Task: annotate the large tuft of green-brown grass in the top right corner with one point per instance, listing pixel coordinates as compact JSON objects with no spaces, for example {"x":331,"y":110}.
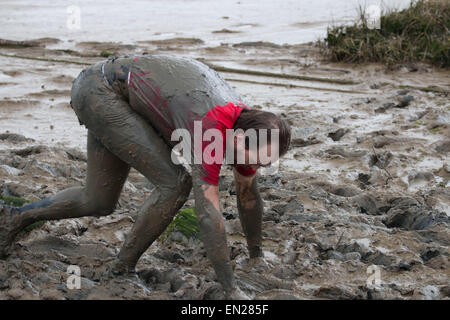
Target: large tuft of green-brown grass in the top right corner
{"x":418,"y":33}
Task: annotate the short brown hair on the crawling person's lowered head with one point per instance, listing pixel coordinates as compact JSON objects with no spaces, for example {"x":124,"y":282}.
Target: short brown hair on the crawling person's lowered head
{"x":257,"y":119}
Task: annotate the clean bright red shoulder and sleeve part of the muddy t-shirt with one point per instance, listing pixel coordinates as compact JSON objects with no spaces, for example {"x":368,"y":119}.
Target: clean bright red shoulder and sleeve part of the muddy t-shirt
{"x":221,"y":118}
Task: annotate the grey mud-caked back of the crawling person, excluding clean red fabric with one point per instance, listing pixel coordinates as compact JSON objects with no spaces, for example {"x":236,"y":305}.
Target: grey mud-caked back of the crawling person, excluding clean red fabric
{"x":170,"y":92}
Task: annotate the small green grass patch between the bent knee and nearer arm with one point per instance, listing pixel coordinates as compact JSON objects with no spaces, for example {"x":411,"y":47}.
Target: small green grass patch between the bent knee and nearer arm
{"x":185,"y":222}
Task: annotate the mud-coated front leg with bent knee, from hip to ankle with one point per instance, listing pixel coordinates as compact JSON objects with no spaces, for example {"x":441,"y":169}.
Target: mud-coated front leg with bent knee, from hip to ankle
{"x":131,"y":138}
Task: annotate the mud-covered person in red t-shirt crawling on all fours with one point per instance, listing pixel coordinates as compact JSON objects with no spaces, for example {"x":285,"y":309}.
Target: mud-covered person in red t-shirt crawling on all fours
{"x":131,"y":105}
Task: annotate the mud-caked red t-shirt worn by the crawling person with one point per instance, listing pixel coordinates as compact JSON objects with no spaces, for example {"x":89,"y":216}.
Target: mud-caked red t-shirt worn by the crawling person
{"x":173,"y":92}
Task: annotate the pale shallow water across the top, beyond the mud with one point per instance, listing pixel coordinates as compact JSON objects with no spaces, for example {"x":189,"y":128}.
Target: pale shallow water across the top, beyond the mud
{"x":287,"y":21}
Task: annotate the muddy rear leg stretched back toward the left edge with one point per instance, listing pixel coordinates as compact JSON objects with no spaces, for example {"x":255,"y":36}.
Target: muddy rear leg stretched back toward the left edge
{"x":106,"y":174}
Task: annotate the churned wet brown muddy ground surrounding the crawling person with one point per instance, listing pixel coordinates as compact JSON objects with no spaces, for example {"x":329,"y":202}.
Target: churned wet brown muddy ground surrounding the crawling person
{"x":366,"y":182}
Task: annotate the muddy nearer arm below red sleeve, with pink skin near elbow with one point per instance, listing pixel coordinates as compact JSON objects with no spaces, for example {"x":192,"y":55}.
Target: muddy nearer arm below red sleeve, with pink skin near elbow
{"x":212,"y":230}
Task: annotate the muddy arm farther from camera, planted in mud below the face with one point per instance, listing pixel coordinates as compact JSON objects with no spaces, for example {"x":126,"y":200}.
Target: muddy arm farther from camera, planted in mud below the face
{"x":251,"y":209}
